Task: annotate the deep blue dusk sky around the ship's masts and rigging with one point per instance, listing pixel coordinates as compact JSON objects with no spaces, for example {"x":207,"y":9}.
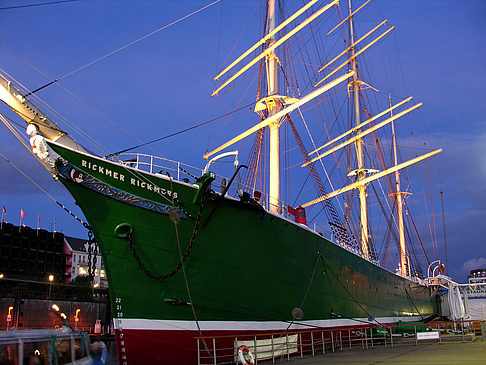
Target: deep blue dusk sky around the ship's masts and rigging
{"x":163,"y":84}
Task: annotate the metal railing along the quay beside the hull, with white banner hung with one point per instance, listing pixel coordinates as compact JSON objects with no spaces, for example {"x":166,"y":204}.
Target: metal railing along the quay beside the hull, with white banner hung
{"x":283,"y":346}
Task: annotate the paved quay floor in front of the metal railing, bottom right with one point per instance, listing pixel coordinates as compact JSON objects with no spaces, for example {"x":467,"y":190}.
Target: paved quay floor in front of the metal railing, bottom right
{"x":433,"y":353}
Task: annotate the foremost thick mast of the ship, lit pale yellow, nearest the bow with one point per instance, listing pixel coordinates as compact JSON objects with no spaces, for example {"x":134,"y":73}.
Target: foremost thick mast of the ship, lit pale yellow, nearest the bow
{"x":273,"y":108}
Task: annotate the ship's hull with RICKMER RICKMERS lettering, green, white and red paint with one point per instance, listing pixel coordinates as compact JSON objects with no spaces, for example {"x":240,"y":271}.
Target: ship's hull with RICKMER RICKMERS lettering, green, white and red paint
{"x":246,"y":270}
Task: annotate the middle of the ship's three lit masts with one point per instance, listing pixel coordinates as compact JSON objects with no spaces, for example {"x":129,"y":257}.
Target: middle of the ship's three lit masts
{"x":360,"y":172}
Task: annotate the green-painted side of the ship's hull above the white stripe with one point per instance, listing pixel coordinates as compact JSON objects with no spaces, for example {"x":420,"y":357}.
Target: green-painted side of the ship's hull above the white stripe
{"x":278,"y":266}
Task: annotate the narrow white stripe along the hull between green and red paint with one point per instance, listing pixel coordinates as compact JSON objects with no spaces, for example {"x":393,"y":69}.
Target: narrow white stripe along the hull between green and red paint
{"x":174,"y":325}
